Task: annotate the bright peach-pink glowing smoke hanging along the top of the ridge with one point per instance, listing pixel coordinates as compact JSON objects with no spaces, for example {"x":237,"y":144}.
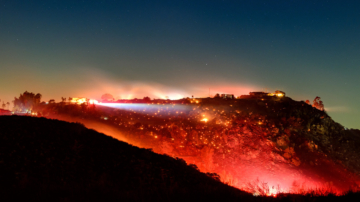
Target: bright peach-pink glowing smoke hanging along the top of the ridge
{"x":100,"y":83}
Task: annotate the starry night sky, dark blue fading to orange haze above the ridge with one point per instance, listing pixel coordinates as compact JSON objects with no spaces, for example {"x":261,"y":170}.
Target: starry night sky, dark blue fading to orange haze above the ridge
{"x":182,"y":48}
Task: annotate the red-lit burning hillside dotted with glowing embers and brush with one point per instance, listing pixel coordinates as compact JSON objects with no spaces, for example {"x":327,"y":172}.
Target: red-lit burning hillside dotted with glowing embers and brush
{"x":264,"y":146}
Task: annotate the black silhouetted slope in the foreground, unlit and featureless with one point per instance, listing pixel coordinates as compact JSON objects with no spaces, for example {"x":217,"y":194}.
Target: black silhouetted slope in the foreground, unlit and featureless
{"x":44,"y":159}
